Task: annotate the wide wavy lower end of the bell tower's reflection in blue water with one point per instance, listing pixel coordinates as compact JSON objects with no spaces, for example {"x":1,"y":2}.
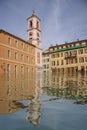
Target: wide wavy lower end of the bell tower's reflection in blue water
{"x":34,"y":112}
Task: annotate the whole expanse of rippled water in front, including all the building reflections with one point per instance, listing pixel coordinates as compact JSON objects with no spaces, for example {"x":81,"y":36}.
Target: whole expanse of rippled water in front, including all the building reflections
{"x":52,"y":102}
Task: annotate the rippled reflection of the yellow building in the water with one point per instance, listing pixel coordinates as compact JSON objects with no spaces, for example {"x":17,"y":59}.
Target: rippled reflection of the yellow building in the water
{"x":66,"y":86}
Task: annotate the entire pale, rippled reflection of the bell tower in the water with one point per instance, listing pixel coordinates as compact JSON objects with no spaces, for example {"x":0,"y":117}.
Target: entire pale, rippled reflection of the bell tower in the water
{"x":34,"y":107}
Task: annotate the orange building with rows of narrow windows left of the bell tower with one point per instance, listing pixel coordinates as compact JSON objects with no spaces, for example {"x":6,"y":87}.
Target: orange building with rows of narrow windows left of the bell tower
{"x":17,"y":57}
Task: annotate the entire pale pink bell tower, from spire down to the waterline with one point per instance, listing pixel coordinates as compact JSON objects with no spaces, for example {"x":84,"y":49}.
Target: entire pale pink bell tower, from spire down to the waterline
{"x":33,"y":31}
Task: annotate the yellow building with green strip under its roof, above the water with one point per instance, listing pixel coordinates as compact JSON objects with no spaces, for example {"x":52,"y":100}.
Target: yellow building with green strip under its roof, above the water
{"x":68,"y":57}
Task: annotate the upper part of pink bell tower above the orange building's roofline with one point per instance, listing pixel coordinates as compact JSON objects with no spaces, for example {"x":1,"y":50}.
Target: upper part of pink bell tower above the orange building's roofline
{"x":33,"y":30}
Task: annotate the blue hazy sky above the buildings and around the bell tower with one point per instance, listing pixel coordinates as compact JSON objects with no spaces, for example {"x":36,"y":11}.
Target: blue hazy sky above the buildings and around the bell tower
{"x":61,"y":20}
